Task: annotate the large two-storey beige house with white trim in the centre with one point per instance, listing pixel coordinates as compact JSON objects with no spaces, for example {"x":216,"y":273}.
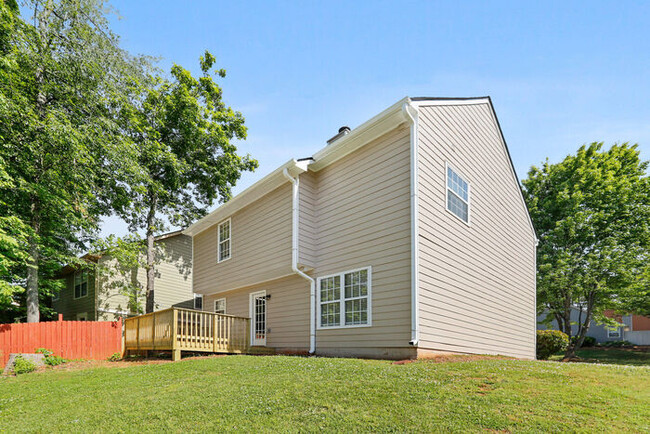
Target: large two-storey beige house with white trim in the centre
{"x":406,"y":236}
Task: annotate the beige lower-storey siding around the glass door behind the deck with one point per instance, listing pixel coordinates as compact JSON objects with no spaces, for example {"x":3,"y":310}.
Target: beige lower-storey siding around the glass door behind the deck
{"x":287,"y":311}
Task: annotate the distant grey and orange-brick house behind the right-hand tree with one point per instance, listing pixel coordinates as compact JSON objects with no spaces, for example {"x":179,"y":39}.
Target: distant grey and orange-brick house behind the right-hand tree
{"x":634,"y":329}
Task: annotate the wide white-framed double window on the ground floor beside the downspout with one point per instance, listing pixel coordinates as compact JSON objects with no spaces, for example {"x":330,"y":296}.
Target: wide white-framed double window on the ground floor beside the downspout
{"x":344,"y":299}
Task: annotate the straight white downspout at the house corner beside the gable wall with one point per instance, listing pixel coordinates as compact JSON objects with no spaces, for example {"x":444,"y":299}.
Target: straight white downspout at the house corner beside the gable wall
{"x":415,"y":232}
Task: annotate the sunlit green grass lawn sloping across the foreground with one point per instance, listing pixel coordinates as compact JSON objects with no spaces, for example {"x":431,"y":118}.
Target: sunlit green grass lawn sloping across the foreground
{"x":244,"y":393}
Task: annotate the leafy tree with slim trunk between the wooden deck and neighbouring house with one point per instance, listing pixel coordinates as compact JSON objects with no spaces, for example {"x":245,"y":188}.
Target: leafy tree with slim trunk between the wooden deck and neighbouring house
{"x":183,"y":132}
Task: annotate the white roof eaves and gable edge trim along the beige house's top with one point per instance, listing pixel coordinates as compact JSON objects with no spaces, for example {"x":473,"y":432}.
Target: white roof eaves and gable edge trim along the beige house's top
{"x":387,"y":120}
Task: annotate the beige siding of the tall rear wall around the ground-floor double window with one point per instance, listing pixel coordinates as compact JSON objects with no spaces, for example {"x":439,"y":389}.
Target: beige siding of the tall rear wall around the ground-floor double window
{"x":363,"y":219}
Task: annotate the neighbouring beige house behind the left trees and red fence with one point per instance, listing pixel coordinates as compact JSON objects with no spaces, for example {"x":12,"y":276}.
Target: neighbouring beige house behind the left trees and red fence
{"x":86,"y":299}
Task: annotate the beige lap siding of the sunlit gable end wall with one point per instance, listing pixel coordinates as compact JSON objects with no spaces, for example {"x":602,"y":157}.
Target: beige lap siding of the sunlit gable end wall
{"x":477,"y":282}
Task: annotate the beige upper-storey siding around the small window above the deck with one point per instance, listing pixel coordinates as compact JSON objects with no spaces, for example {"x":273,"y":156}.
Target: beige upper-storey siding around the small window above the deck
{"x":260,"y":246}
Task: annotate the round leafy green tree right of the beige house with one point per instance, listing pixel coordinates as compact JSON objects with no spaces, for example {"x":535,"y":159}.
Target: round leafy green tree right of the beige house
{"x":592,"y":214}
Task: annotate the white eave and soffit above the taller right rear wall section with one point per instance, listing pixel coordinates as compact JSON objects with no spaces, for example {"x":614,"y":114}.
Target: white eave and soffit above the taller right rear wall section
{"x":379,"y":125}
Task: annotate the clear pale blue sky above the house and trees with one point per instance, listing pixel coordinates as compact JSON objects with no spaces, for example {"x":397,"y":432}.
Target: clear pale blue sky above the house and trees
{"x":560,"y":74}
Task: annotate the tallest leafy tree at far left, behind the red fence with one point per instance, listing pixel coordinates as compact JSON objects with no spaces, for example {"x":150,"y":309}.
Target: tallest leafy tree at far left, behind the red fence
{"x":61,"y":81}
